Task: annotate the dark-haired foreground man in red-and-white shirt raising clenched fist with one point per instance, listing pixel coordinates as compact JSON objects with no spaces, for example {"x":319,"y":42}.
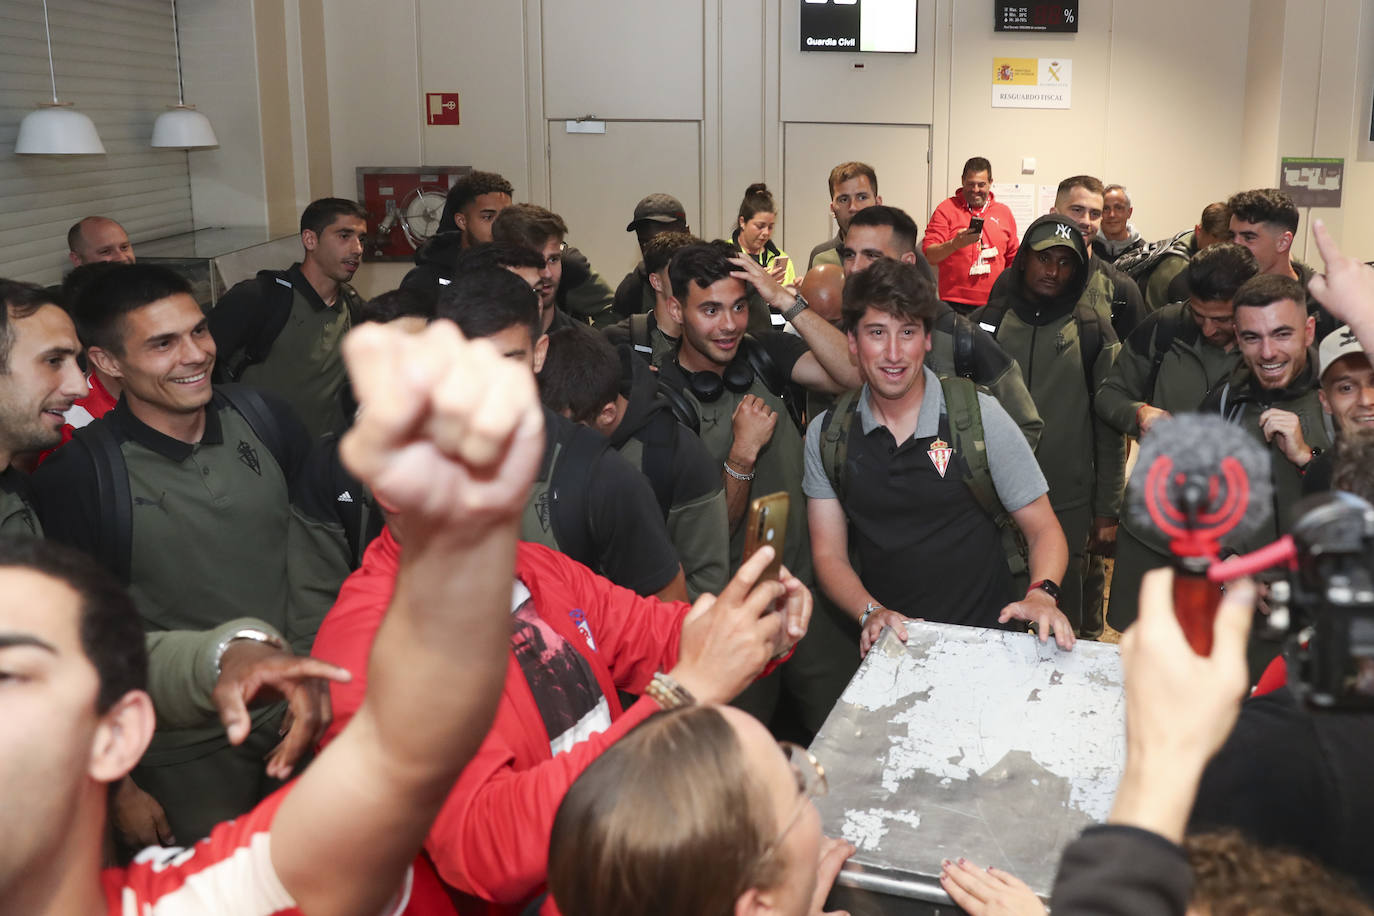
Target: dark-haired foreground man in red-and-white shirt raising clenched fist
{"x":343,"y":838}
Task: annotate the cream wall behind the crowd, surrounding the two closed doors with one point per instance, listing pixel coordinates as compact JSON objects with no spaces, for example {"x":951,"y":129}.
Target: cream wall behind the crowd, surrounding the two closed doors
{"x":1184,"y":102}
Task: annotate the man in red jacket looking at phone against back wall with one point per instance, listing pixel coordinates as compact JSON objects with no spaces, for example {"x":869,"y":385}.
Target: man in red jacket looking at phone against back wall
{"x":971,"y":262}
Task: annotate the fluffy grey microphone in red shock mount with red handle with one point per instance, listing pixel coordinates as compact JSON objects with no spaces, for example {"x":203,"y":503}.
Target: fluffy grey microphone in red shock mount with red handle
{"x":1200,"y":483}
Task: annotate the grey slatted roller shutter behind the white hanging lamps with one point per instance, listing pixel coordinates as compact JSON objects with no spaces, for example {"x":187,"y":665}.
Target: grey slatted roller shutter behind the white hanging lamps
{"x":115,"y":60}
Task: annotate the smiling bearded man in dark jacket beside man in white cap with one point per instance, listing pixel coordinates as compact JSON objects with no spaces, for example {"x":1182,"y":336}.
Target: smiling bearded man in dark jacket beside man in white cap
{"x":1274,"y":393}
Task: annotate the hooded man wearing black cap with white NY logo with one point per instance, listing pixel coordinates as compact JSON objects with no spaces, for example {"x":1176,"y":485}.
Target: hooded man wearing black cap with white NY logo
{"x":1066,"y":351}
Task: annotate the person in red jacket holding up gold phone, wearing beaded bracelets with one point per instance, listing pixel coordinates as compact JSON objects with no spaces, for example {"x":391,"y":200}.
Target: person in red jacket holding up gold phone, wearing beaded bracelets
{"x":576,"y":641}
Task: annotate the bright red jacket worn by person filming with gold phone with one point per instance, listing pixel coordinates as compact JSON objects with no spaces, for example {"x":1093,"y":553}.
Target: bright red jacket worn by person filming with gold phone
{"x":491,"y":838}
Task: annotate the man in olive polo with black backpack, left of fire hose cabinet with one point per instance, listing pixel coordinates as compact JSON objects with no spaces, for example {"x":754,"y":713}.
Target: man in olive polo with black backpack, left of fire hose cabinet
{"x":281,"y":332}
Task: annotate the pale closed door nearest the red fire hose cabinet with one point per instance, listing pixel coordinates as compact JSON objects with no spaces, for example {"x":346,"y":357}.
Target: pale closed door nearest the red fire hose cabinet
{"x":597,"y":179}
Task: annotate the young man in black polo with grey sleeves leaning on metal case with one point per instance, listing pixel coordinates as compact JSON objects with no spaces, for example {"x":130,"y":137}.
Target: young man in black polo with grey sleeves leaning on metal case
{"x":897,"y":484}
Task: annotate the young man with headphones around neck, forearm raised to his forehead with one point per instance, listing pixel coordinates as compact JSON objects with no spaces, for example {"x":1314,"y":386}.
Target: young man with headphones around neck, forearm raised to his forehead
{"x":743,"y":391}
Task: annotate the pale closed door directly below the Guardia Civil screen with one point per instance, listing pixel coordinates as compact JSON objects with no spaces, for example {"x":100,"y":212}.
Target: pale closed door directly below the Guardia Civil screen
{"x":899,"y":153}
